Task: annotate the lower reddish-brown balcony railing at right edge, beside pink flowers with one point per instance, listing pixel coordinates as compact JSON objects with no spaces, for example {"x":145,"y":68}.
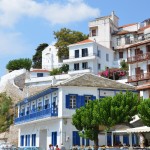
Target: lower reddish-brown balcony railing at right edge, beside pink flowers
{"x":139,"y":77}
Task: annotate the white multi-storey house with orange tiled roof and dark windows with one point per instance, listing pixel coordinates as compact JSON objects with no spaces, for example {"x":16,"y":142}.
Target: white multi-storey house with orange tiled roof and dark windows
{"x":88,"y":56}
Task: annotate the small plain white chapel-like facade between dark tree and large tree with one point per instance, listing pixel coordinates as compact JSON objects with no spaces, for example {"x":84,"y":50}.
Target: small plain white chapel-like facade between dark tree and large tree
{"x":50,"y":59}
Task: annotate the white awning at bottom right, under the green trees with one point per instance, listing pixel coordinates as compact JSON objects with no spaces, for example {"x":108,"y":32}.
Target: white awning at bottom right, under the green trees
{"x":138,"y":129}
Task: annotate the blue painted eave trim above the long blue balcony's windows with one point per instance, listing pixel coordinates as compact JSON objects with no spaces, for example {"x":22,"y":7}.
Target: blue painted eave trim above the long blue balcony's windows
{"x":35,"y":97}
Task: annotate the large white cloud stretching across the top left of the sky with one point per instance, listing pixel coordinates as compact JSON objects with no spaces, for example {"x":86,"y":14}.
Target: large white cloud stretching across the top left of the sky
{"x":11,"y":11}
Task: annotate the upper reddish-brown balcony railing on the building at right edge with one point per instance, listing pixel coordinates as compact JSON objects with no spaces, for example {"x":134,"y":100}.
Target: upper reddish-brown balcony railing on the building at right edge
{"x":138,"y":58}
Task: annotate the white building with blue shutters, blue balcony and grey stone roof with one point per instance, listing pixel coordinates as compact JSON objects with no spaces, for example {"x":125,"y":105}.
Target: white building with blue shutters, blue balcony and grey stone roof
{"x":45,"y":118}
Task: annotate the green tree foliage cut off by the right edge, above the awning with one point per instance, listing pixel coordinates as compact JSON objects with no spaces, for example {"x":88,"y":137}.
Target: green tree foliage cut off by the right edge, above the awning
{"x":144,"y":111}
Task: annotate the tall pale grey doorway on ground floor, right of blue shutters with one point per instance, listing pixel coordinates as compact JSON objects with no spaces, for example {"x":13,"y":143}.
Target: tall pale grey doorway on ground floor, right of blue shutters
{"x":43,"y":139}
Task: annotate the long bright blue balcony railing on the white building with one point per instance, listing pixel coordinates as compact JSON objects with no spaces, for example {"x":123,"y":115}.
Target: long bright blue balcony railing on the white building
{"x":37,"y":114}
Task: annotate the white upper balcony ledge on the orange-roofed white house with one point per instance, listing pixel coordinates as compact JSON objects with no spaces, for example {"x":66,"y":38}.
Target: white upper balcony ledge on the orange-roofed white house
{"x":80,"y":58}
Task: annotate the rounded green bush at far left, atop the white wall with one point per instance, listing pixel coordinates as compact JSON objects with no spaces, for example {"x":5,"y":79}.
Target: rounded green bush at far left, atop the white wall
{"x":19,"y":64}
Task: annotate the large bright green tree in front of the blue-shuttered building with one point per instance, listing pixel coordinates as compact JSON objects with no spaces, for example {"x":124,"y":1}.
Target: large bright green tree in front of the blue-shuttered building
{"x":107,"y":112}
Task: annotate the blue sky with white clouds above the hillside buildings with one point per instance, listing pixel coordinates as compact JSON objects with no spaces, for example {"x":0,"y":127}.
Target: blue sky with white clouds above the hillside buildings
{"x":24,"y":24}
